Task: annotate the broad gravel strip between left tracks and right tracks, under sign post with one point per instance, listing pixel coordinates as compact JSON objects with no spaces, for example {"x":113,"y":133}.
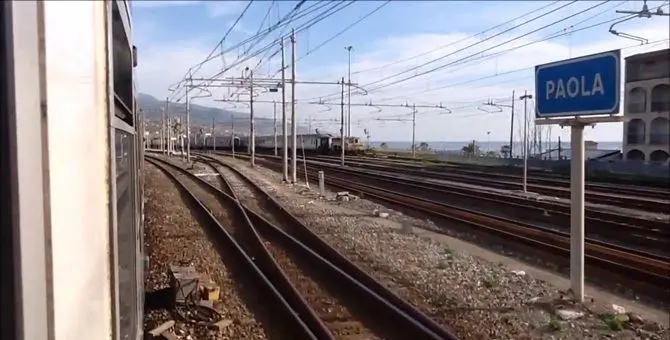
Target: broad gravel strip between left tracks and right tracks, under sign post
{"x":475,"y":298}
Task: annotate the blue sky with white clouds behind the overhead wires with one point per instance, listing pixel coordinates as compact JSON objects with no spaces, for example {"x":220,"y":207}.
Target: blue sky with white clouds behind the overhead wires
{"x":480,"y":51}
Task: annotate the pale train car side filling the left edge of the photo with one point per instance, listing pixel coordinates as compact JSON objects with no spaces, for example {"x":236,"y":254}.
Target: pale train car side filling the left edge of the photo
{"x":70,"y":172}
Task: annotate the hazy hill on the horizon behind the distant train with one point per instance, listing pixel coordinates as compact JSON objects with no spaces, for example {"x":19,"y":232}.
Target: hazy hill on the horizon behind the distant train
{"x":201,"y":117}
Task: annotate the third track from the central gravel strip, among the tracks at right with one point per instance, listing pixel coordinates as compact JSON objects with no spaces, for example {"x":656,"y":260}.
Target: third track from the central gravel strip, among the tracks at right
{"x":623,"y":196}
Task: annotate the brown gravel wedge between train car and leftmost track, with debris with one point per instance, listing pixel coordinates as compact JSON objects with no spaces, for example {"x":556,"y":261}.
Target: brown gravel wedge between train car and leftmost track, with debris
{"x":173,"y":236}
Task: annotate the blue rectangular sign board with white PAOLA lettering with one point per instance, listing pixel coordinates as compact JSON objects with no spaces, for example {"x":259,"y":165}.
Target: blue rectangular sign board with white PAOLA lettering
{"x":588,"y":85}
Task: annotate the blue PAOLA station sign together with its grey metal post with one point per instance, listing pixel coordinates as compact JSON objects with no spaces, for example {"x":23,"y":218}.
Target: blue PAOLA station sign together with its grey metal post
{"x":569,"y":90}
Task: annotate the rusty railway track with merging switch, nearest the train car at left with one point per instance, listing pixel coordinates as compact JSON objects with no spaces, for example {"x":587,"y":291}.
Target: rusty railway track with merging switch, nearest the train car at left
{"x":352,"y":309}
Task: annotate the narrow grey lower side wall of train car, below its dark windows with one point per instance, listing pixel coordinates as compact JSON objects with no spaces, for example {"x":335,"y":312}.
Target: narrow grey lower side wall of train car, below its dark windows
{"x":126,"y":233}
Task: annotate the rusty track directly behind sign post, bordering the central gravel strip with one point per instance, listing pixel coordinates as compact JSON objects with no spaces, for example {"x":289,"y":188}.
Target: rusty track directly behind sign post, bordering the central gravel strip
{"x":649,"y":269}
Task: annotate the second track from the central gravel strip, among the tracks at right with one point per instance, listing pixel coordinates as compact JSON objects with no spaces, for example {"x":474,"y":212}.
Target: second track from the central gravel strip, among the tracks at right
{"x":647,"y":235}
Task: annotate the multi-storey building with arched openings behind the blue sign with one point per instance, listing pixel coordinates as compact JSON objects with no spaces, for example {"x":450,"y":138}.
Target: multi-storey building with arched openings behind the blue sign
{"x":647,"y":105}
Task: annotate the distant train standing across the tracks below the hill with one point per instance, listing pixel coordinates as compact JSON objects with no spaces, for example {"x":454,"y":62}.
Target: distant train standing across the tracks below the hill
{"x":312,"y":143}
